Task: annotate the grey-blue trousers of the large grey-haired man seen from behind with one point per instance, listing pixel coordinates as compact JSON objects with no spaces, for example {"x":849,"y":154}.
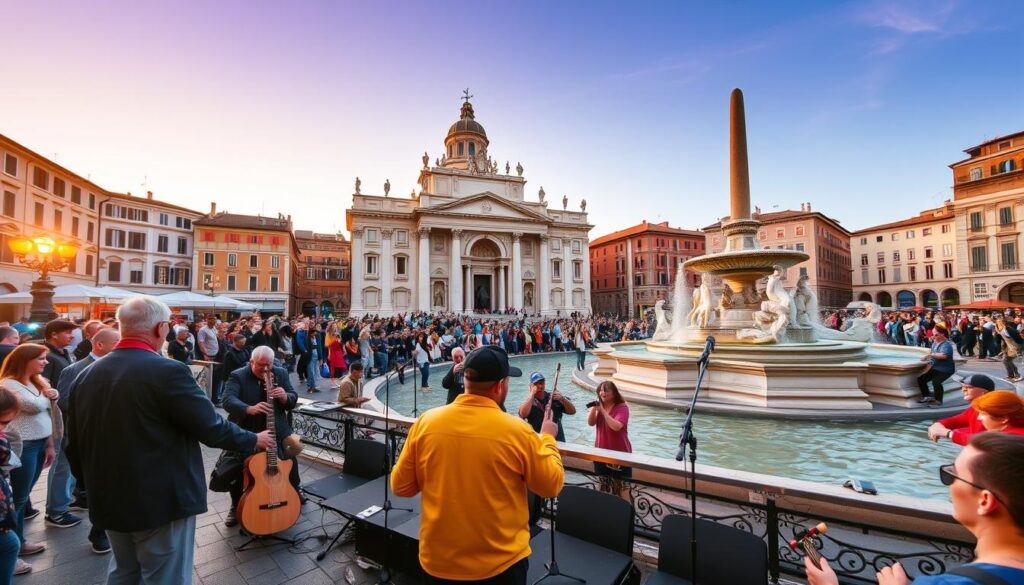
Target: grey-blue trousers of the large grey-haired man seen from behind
{"x":159,"y":557}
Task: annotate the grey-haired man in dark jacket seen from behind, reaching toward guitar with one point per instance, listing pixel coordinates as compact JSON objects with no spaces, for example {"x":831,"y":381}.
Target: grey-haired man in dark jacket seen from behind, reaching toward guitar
{"x":136,"y":422}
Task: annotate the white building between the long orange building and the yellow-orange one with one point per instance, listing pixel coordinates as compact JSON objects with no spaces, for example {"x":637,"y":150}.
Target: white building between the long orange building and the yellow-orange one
{"x":145,"y":245}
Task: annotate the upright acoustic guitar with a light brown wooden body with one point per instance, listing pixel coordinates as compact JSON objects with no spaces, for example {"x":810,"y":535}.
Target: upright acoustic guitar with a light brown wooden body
{"x":270,"y":505}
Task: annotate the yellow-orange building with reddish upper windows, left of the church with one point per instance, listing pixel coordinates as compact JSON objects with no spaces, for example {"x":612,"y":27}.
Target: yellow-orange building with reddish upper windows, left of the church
{"x":248,"y":258}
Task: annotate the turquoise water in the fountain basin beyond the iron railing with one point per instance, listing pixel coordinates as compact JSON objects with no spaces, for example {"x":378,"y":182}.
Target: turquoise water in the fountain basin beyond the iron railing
{"x":897,"y":456}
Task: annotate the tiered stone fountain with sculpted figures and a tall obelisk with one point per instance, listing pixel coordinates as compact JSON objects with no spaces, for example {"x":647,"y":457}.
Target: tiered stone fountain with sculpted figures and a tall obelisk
{"x":773,"y":354}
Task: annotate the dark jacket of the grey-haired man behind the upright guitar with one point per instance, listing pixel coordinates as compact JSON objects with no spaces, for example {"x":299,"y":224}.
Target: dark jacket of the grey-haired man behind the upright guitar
{"x":243,"y":390}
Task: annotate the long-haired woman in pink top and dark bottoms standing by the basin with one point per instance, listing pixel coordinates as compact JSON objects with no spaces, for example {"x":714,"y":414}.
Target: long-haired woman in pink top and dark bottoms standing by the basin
{"x":612,"y":417}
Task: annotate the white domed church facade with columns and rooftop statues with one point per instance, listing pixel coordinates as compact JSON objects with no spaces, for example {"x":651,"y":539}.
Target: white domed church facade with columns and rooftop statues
{"x":470,"y":241}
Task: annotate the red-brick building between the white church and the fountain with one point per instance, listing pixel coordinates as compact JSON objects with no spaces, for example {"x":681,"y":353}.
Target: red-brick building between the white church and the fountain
{"x":633,"y":269}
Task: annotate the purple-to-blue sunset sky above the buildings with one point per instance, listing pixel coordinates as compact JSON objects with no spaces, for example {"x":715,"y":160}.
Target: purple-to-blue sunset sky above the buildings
{"x":277,"y":107}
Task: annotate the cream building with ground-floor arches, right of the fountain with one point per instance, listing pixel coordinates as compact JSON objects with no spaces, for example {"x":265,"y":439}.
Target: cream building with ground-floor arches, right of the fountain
{"x":908,"y":264}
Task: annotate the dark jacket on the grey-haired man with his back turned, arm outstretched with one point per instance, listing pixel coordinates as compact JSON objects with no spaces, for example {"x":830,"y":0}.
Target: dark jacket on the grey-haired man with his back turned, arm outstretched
{"x":136,"y":422}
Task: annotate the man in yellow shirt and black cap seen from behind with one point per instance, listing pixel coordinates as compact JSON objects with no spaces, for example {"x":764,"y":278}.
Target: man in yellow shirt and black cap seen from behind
{"x":474,"y":465}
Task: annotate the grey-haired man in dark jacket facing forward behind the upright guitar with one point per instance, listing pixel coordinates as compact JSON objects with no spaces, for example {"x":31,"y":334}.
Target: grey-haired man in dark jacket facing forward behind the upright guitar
{"x":247,"y":401}
